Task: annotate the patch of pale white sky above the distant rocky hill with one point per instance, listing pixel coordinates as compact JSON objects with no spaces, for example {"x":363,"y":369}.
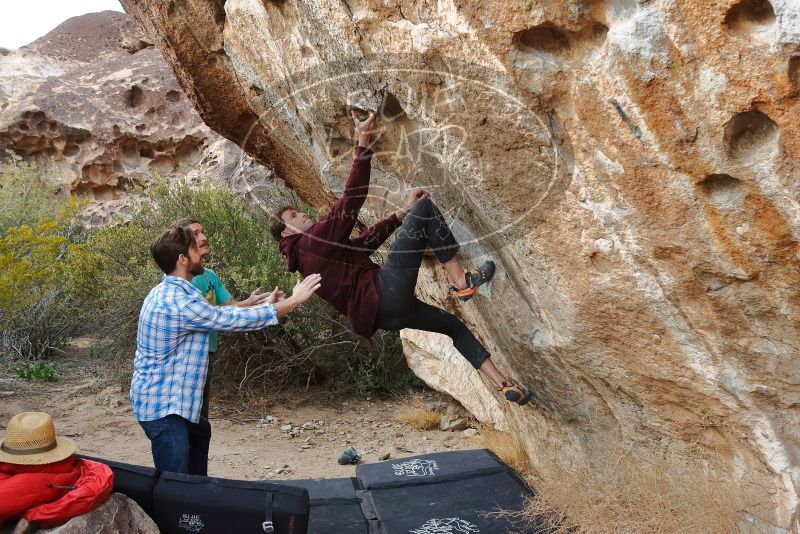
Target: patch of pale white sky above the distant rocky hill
{"x":23,"y":21}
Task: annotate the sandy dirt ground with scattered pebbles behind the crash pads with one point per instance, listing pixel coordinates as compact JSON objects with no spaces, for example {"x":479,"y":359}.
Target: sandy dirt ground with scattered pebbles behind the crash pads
{"x":88,"y":409}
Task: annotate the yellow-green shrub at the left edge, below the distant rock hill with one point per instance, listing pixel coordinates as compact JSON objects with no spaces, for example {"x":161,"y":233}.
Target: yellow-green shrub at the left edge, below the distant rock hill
{"x":40,"y":239}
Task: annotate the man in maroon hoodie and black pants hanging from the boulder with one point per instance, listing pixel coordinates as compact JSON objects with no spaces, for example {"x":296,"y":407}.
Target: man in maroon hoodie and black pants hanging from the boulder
{"x":374,"y":297}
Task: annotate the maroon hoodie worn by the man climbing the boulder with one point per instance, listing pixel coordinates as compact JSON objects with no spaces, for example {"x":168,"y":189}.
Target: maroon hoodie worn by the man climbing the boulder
{"x":349,"y":277}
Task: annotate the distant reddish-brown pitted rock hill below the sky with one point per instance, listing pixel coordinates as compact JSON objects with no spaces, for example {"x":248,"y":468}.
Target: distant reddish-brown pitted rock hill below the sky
{"x":95,"y":104}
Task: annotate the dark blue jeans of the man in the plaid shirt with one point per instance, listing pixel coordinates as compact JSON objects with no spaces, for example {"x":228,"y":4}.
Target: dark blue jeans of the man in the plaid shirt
{"x":179,"y":446}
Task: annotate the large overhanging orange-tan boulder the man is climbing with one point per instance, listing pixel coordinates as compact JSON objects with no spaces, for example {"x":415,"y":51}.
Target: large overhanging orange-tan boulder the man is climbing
{"x":632,"y":166}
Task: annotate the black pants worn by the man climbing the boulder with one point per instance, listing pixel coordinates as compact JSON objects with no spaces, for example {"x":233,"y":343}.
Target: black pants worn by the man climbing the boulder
{"x":399,"y":308}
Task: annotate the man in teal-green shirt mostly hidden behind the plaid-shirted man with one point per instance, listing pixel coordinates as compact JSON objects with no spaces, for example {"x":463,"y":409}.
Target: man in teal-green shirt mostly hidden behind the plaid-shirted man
{"x":216,"y":294}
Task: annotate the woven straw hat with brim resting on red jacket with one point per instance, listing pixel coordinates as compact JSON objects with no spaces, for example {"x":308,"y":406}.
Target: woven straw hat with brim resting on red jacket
{"x":31,"y":440}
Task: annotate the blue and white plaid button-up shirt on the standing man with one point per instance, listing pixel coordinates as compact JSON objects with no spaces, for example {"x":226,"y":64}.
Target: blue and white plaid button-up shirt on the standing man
{"x":171,"y":362}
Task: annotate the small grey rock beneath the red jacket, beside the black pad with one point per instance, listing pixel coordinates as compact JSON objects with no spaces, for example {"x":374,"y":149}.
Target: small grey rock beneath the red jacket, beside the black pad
{"x":118,"y":515}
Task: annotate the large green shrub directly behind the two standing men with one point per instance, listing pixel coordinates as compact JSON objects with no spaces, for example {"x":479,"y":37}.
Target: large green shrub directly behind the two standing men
{"x":313,"y":345}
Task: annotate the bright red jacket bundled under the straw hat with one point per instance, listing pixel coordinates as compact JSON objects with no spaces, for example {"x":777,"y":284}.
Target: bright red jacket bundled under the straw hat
{"x":27,"y":491}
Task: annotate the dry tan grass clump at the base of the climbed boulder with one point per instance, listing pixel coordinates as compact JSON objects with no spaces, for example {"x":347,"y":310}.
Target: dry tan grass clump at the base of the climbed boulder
{"x":640,"y":490}
